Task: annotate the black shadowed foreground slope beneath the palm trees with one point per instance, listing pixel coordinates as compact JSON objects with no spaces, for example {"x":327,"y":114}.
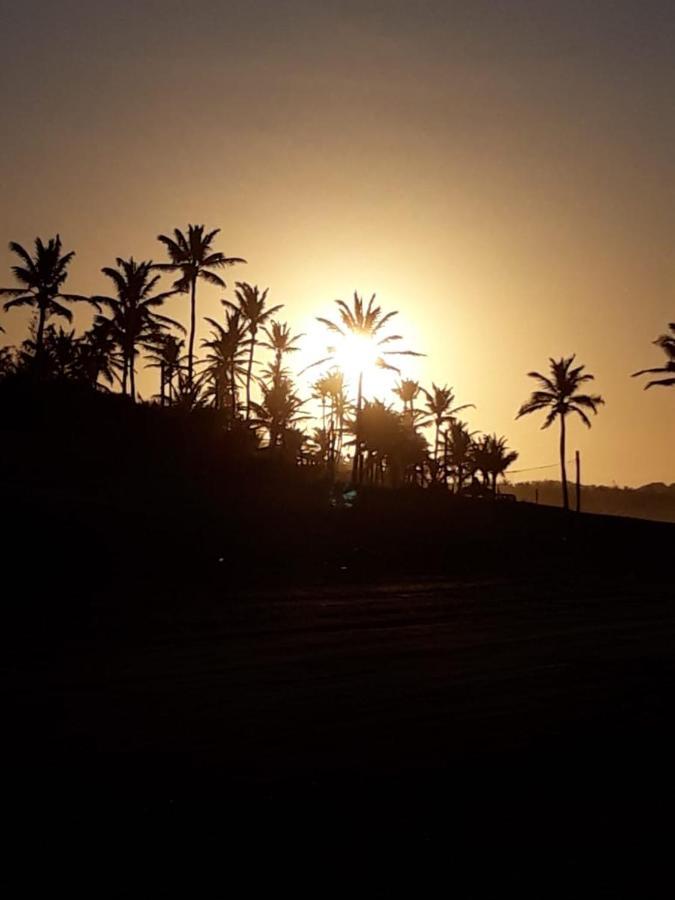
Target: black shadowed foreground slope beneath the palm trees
{"x":206,"y":662}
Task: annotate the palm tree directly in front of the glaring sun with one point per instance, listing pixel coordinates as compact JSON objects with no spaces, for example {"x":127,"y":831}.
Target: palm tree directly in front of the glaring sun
{"x":364,"y":322}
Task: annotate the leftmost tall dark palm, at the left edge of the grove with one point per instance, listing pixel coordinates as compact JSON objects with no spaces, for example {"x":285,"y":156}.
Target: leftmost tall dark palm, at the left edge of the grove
{"x":42,"y":277}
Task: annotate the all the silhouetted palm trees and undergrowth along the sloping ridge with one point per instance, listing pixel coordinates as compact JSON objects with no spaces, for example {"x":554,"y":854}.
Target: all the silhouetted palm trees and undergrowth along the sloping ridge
{"x":385,"y":444}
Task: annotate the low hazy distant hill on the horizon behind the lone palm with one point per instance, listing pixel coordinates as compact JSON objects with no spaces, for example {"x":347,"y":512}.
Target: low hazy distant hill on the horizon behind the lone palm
{"x":651,"y":501}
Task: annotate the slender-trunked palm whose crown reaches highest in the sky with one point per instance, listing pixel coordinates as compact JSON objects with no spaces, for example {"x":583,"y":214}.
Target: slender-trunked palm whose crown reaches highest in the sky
{"x":192,"y":255}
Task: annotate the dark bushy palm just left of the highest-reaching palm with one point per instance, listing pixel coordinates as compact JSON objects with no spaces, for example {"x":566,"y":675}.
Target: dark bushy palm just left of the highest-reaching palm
{"x":132,"y":312}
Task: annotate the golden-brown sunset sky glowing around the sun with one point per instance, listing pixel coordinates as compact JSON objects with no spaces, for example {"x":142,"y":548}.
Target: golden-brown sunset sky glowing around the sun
{"x":502,"y":173}
